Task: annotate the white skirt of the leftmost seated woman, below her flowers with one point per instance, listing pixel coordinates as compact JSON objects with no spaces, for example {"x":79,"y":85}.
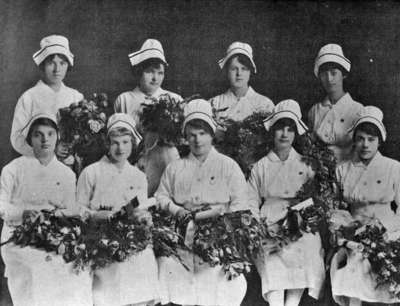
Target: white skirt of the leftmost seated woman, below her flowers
{"x":37,"y":278}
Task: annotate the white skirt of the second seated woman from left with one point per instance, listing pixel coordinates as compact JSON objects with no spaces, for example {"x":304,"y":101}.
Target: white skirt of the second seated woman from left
{"x":130,"y":282}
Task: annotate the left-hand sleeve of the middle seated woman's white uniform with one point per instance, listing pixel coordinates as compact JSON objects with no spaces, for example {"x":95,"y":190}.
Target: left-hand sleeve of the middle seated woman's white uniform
{"x":164,"y":192}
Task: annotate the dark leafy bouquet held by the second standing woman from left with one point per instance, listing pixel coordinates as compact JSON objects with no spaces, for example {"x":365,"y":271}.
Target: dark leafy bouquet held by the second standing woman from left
{"x":164,"y":117}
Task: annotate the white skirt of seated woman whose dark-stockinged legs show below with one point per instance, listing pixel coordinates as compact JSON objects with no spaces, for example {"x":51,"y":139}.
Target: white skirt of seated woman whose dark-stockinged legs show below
{"x":298,"y":265}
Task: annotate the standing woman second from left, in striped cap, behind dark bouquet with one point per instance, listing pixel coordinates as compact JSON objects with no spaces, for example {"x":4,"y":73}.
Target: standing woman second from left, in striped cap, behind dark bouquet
{"x":148,"y":66}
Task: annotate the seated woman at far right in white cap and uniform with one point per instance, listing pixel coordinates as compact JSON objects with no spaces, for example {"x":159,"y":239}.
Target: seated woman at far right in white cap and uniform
{"x":370,"y":182}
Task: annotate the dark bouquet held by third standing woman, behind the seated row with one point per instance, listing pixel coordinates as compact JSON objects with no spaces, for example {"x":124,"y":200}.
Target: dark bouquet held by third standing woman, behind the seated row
{"x":245,"y":141}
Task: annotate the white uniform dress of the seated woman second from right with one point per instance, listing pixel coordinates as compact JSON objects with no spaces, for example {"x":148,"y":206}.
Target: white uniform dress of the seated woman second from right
{"x":299,"y":264}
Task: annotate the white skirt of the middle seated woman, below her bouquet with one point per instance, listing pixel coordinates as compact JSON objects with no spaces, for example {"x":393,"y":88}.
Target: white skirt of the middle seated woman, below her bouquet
{"x":202,"y":285}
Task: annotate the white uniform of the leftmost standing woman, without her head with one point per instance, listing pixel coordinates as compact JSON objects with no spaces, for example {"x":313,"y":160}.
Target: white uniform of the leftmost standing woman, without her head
{"x":38,"y":99}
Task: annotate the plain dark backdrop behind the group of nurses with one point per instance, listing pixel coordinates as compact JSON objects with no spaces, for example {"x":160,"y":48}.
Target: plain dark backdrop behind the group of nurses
{"x":285,"y":37}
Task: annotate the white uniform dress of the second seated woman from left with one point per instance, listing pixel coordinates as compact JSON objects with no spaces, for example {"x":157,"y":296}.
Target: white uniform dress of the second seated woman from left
{"x":136,"y":279}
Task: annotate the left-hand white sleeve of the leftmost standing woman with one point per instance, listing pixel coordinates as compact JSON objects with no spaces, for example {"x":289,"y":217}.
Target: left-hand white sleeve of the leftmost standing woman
{"x":22,"y":115}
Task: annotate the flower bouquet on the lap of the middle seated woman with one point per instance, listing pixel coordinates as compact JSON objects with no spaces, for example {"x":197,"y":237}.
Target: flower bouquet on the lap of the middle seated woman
{"x":231,"y":240}
